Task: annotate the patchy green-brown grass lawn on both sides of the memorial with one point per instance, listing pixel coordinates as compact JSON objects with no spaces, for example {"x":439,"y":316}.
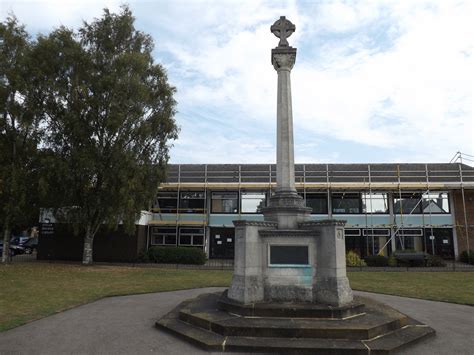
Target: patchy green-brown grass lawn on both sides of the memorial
{"x":34,"y":290}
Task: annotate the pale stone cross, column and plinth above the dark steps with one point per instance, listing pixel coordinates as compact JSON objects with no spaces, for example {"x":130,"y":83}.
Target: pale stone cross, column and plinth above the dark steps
{"x":321,"y":276}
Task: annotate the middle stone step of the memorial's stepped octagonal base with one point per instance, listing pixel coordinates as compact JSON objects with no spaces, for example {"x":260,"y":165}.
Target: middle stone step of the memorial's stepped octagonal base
{"x":202,"y":312}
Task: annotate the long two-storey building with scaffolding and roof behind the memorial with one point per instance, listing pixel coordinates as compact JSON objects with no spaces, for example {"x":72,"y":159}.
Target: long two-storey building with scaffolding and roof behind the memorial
{"x":388,"y":207}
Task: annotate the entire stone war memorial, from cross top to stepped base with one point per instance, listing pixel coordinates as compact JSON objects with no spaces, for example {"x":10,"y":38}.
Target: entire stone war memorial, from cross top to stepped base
{"x":290,"y":292}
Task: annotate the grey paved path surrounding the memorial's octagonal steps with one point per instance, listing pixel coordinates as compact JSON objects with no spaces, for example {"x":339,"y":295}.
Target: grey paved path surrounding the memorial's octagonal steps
{"x":124,"y":325}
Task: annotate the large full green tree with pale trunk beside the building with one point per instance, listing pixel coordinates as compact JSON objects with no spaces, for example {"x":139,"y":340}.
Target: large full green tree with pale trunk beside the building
{"x":109,"y":110}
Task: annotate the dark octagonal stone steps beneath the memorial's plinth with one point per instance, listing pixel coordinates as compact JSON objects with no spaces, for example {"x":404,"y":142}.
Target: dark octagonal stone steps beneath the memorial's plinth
{"x":216,"y":323}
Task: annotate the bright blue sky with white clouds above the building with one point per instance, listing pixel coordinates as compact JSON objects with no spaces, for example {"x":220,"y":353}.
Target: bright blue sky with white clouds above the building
{"x":374,"y":81}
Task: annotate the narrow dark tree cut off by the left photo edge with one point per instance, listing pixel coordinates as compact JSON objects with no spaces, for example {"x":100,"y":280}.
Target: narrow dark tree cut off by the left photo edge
{"x":20,"y":132}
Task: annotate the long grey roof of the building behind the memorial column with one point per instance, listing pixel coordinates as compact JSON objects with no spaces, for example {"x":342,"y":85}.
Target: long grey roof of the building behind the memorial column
{"x":446,"y":174}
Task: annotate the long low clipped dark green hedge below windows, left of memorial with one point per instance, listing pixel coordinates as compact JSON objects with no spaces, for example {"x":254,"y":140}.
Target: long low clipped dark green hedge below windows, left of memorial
{"x":175,"y":255}
